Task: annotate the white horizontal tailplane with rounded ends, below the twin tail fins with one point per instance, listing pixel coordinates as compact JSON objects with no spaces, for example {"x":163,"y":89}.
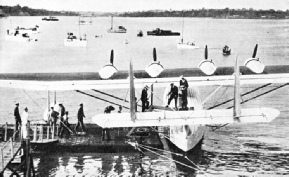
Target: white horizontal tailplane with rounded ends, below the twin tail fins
{"x":173,"y":118}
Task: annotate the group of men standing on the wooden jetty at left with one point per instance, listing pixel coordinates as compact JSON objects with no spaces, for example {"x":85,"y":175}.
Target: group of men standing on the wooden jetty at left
{"x":21,"y":121}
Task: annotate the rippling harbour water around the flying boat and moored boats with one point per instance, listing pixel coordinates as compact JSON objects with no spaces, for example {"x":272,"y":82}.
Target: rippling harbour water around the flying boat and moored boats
{"x":250,"y":150}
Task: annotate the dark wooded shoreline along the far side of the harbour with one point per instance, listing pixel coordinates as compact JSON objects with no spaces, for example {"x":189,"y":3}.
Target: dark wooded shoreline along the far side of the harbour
{"x":213,"y":13}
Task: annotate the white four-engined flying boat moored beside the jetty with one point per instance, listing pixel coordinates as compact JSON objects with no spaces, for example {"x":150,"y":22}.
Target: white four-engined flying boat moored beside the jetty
{"x":185,"y":128}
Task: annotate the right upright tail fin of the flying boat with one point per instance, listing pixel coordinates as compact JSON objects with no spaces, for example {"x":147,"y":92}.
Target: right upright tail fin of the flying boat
{"x":237,"y":110}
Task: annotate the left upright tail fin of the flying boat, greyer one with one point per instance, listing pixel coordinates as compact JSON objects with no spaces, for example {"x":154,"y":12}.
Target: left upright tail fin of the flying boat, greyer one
{"x":132,"y":93}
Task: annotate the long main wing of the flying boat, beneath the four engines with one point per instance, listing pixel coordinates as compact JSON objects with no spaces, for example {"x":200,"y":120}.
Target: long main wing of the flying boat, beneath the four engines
{"x":88,"y":81}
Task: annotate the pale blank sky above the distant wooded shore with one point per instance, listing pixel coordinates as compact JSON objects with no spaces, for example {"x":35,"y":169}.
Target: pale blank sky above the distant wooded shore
{"x":142,"y":5}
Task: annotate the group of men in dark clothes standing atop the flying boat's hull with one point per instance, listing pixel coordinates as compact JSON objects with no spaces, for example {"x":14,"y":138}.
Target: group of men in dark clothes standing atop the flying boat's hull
{"x":174,"y":93}
